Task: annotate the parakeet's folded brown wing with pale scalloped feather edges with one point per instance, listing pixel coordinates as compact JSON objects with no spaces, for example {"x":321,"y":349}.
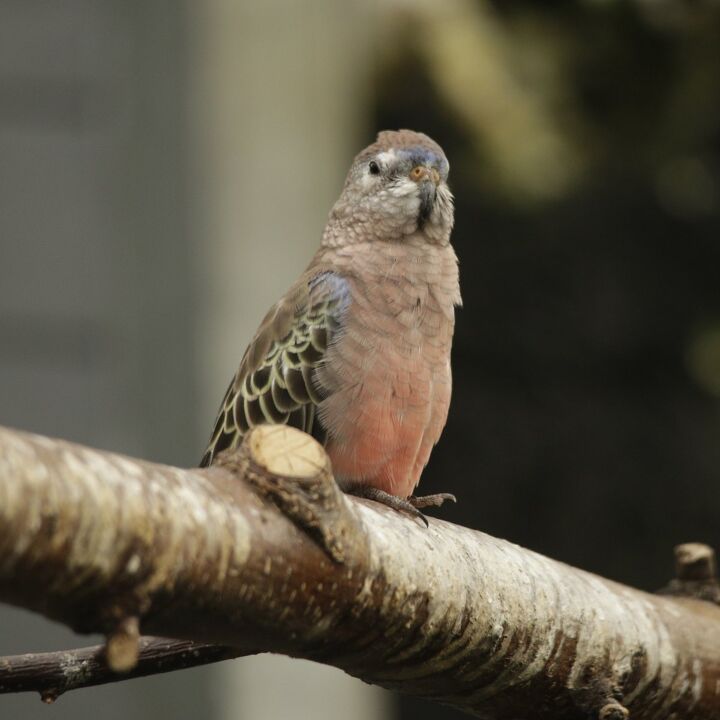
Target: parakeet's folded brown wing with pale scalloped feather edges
{"x":275,"y":383}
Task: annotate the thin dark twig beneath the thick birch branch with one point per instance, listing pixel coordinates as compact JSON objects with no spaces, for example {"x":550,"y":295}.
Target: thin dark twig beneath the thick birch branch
{"x":53,"y":673}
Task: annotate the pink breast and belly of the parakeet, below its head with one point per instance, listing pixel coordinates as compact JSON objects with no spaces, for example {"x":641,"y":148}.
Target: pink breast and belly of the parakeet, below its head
{"x":387,"y":377}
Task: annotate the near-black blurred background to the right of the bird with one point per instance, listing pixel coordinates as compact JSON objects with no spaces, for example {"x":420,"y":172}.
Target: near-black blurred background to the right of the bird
{"x":585,"y":421}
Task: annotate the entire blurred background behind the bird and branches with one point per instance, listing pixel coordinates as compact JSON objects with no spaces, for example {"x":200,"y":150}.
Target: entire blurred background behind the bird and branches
{"x":165,"y":173}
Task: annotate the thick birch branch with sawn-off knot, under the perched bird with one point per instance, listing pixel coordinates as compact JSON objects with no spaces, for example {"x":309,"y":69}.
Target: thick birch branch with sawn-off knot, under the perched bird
{"x":264,"y":553}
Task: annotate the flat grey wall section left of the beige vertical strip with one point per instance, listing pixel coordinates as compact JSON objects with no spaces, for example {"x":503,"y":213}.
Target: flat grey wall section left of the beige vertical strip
{"x":96,"y":330}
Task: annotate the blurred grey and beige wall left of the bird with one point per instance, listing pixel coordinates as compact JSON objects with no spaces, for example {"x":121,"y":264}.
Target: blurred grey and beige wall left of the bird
{"x":165,"y":172}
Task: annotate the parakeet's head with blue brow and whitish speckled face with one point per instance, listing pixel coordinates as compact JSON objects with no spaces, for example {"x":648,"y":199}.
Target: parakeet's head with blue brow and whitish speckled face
{"x":396,"y":187}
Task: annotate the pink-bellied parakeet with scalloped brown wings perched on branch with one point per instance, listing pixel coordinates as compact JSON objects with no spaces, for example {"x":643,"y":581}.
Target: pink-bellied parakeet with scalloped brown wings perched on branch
{"x":357,"y":352}
